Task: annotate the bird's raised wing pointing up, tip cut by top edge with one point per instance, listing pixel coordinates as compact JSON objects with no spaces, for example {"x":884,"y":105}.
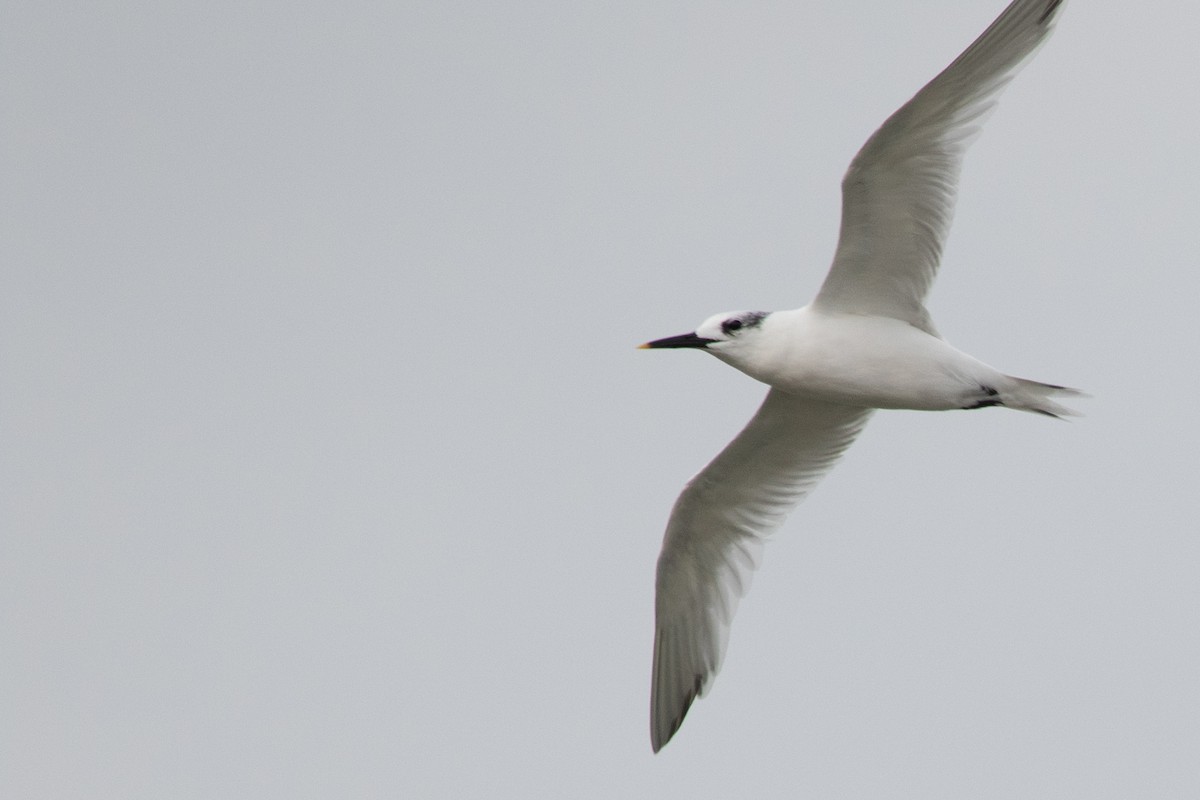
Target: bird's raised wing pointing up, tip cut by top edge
{"x":898,"y":195}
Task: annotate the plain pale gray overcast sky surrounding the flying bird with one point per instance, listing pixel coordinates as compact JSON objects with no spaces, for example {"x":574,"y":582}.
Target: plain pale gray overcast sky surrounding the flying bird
{"x":328,"y":467}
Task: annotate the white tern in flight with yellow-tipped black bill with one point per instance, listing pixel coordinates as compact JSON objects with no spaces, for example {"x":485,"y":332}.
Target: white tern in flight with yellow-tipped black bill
{"x":866,"y":342}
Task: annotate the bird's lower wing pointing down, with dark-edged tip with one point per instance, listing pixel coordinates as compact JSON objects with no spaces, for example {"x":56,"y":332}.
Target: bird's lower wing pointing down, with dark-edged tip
{"x":715,"y":534}
